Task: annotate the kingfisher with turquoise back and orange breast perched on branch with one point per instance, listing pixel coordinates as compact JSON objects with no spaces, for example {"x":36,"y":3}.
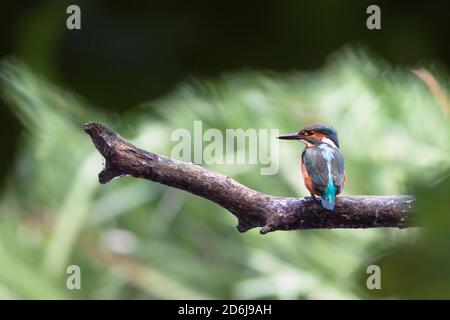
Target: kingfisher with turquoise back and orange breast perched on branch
{"x":322,"y":163}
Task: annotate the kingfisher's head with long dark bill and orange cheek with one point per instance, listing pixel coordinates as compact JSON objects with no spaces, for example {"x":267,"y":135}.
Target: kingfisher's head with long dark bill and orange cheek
{"x":315,"y":134}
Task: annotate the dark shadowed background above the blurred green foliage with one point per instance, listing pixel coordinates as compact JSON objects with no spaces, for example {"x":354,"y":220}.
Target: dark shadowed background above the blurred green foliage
{"x":129,"y":53}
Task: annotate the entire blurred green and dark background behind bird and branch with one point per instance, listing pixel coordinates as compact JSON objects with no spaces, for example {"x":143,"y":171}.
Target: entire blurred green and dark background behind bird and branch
{"x":147,"y":69}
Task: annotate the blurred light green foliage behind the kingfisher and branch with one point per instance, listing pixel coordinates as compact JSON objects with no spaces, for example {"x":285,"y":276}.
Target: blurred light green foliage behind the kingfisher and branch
{"x":134,"y":239}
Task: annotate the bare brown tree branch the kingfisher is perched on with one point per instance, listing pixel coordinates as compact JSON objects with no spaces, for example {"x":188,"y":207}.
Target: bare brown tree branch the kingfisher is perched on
{"x":252,"y":208}
